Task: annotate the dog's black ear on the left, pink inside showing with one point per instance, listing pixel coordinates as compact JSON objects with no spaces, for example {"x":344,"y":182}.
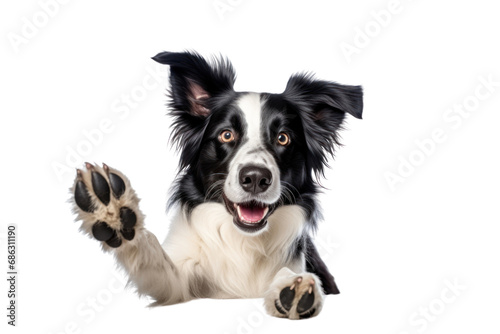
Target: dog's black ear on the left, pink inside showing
{"x":194,"y":81}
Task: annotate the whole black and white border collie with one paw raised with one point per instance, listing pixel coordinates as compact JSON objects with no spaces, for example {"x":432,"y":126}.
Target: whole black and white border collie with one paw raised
{"x":245,"y":194}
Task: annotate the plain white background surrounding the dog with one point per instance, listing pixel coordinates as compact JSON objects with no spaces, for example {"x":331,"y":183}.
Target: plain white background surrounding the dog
{"x":393,"y":251}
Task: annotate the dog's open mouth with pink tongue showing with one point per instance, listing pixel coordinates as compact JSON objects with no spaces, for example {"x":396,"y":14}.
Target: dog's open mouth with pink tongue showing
{"x":249,"y":216}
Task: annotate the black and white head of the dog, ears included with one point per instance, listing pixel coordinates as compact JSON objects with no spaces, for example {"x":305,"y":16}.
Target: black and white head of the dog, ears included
{"x":252,"y":152}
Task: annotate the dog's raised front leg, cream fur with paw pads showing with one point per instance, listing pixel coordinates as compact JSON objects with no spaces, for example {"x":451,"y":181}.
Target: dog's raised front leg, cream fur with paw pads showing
{"x":109,"y":210}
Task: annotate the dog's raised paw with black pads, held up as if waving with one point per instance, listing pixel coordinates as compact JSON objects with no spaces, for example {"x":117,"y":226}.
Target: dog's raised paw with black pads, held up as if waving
{"x":107,"y":205}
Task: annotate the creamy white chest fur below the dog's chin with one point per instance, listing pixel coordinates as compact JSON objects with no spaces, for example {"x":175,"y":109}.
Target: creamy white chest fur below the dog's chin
{"x":234,"y":264}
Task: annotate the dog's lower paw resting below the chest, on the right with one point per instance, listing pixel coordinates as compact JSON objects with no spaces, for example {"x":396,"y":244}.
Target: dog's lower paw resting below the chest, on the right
{"x":294,"y":296}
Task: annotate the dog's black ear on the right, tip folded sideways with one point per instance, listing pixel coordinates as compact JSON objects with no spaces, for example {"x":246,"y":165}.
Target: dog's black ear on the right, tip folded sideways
{"x":322,"y":106}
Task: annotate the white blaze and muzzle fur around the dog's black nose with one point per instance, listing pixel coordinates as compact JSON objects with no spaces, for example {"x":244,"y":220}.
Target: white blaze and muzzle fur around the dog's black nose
{"x":252,"y":153}
